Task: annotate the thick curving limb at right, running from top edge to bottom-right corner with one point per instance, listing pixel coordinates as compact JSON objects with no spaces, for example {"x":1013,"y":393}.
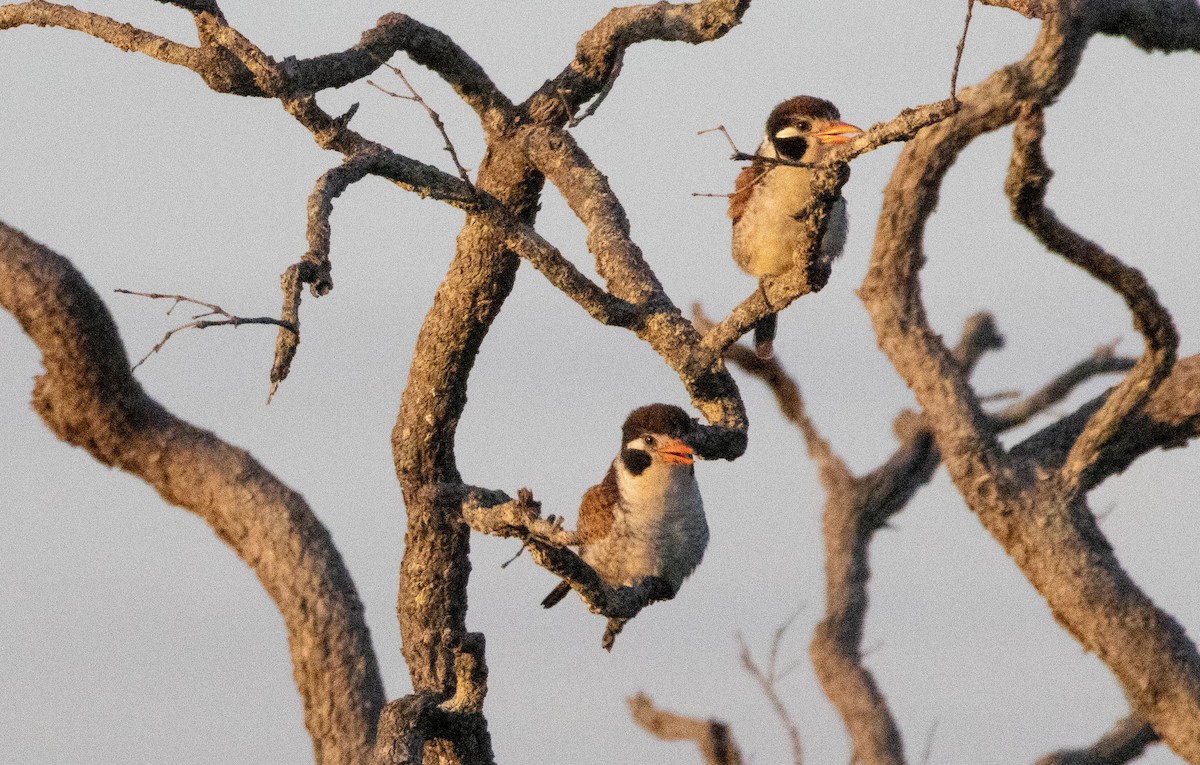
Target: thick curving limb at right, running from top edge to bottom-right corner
{"x":1041,"y":521}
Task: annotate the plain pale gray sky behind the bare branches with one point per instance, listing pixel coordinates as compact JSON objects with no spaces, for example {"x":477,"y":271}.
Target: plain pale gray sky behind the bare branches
{"x":129,"y":634}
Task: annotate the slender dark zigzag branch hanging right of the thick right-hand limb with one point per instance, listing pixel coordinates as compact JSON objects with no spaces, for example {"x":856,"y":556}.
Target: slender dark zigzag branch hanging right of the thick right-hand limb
{"x":1027,"y":186}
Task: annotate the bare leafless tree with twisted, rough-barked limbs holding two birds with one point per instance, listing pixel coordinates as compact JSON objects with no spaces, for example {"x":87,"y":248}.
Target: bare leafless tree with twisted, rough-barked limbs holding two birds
{"x":1031,"y":498}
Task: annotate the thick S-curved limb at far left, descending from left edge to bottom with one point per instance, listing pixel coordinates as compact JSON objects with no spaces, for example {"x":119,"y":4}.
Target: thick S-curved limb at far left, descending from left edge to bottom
{"x":89,"y":399}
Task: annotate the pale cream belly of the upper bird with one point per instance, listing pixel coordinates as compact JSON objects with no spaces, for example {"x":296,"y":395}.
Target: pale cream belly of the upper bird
{"x":767,"y":233}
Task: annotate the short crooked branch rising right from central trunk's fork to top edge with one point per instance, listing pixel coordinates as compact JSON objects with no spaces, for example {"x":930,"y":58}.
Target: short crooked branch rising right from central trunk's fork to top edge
{"x":602,"y":50}
